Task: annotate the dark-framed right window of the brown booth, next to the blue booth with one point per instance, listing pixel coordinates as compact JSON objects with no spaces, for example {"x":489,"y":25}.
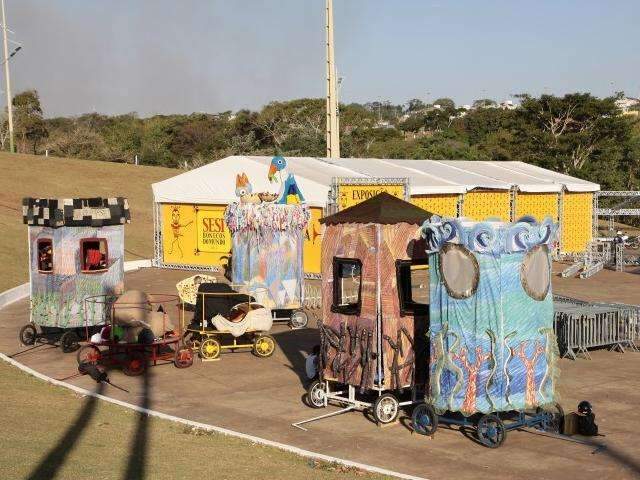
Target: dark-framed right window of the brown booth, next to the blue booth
{"x":413,"y":286}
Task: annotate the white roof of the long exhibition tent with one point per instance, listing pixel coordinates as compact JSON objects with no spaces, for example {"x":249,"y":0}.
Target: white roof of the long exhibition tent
{"x":214,"y":183}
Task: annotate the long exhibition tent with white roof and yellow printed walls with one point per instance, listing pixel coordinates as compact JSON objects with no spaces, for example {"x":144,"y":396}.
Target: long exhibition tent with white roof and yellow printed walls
{"x":190,"y":232}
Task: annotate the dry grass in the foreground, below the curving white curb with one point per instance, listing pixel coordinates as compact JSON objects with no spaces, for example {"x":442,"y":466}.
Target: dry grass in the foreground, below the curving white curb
{"x":49,"y":432}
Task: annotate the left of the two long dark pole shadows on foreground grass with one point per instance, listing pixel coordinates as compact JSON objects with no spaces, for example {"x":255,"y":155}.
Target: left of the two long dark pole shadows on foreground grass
{"x":55,"y":459}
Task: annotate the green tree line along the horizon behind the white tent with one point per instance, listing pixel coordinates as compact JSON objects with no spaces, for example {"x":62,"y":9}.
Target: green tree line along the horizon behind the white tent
{"x":578,"y":134}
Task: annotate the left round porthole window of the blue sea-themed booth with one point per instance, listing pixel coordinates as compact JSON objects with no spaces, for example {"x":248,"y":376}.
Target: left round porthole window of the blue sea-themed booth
{"x":459,"y":270}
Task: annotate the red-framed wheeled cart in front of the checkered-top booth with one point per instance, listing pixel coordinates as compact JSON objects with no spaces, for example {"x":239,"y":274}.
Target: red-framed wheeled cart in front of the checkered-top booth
{"x":134,"y":358}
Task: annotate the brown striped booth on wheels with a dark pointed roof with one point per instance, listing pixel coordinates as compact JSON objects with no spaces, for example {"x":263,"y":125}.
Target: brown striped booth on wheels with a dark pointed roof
{"x":374,"y":309}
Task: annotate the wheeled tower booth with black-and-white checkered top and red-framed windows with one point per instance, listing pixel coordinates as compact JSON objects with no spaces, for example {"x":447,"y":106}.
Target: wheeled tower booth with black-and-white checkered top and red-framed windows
{"x":76,"y":250}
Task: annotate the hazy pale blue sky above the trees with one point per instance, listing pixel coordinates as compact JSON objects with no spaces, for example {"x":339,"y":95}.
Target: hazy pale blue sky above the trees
{"x":161,"y":56}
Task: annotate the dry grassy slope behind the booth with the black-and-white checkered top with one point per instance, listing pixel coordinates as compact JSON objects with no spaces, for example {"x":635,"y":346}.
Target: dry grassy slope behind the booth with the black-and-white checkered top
{"x":37,"y":176}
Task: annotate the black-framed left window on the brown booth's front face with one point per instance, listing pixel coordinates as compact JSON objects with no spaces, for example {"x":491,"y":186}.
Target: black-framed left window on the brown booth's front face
{"x":347,"y":286}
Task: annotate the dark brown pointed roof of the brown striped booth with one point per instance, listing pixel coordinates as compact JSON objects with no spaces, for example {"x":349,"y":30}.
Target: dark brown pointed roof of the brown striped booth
{"x":383,"y":208}
